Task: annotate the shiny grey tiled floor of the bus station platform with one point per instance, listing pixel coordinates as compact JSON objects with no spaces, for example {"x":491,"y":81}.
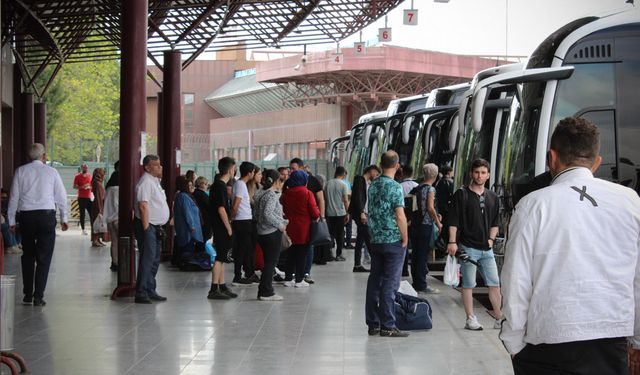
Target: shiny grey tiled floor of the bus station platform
{"x":319,"y":330}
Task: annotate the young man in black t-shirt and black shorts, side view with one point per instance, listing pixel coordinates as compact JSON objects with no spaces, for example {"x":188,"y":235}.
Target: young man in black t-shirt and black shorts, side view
{"x":221,"y":227}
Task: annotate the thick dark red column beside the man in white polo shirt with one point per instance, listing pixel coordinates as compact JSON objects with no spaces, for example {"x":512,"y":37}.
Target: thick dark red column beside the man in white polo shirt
{"x":133,"y":103}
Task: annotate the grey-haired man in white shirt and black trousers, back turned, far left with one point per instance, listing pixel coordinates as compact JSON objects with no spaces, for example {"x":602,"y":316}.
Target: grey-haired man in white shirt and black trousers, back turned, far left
{"x":36,"y":190}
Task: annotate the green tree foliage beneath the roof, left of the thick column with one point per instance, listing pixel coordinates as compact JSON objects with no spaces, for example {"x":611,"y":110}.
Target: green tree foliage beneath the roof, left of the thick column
{"x":83,"y":112}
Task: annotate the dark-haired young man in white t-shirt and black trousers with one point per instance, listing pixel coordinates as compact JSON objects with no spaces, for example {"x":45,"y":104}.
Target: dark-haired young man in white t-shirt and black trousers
{"x":243,"y":249}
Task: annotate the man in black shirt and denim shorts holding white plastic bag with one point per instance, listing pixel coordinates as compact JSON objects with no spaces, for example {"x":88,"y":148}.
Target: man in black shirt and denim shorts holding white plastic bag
{"x":473,"y":227}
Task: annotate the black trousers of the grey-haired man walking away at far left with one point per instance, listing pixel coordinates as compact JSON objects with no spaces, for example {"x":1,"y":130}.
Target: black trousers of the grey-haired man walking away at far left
{"x":38,"y":231}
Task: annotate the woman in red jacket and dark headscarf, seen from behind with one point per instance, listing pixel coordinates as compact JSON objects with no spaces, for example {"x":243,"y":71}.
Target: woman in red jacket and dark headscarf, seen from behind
{"x":300,"y":208}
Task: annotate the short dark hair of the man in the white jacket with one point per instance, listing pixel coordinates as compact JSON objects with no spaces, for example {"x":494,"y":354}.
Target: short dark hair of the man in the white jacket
{"x":576,"y":141}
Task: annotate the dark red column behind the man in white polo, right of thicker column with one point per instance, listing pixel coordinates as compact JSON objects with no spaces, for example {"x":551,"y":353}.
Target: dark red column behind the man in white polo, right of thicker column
{"x":169,"y":130}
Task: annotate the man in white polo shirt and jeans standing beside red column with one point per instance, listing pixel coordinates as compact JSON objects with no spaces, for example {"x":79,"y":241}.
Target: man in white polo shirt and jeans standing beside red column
{"x":151,"y":213}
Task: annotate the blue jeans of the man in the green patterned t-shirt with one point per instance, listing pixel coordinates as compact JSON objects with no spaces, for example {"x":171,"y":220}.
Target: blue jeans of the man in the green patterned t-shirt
{"x":383,"y":283}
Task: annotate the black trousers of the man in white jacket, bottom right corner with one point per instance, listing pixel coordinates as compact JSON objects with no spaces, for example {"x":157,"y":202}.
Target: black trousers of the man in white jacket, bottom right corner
{"x":591,"y":357}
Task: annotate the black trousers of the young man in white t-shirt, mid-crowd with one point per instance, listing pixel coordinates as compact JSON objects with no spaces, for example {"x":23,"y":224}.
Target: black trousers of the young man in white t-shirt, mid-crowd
{"x":244,"y":250}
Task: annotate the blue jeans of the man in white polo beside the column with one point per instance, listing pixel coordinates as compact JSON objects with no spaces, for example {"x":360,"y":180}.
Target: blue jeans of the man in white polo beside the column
{"x":150,"y":249}
